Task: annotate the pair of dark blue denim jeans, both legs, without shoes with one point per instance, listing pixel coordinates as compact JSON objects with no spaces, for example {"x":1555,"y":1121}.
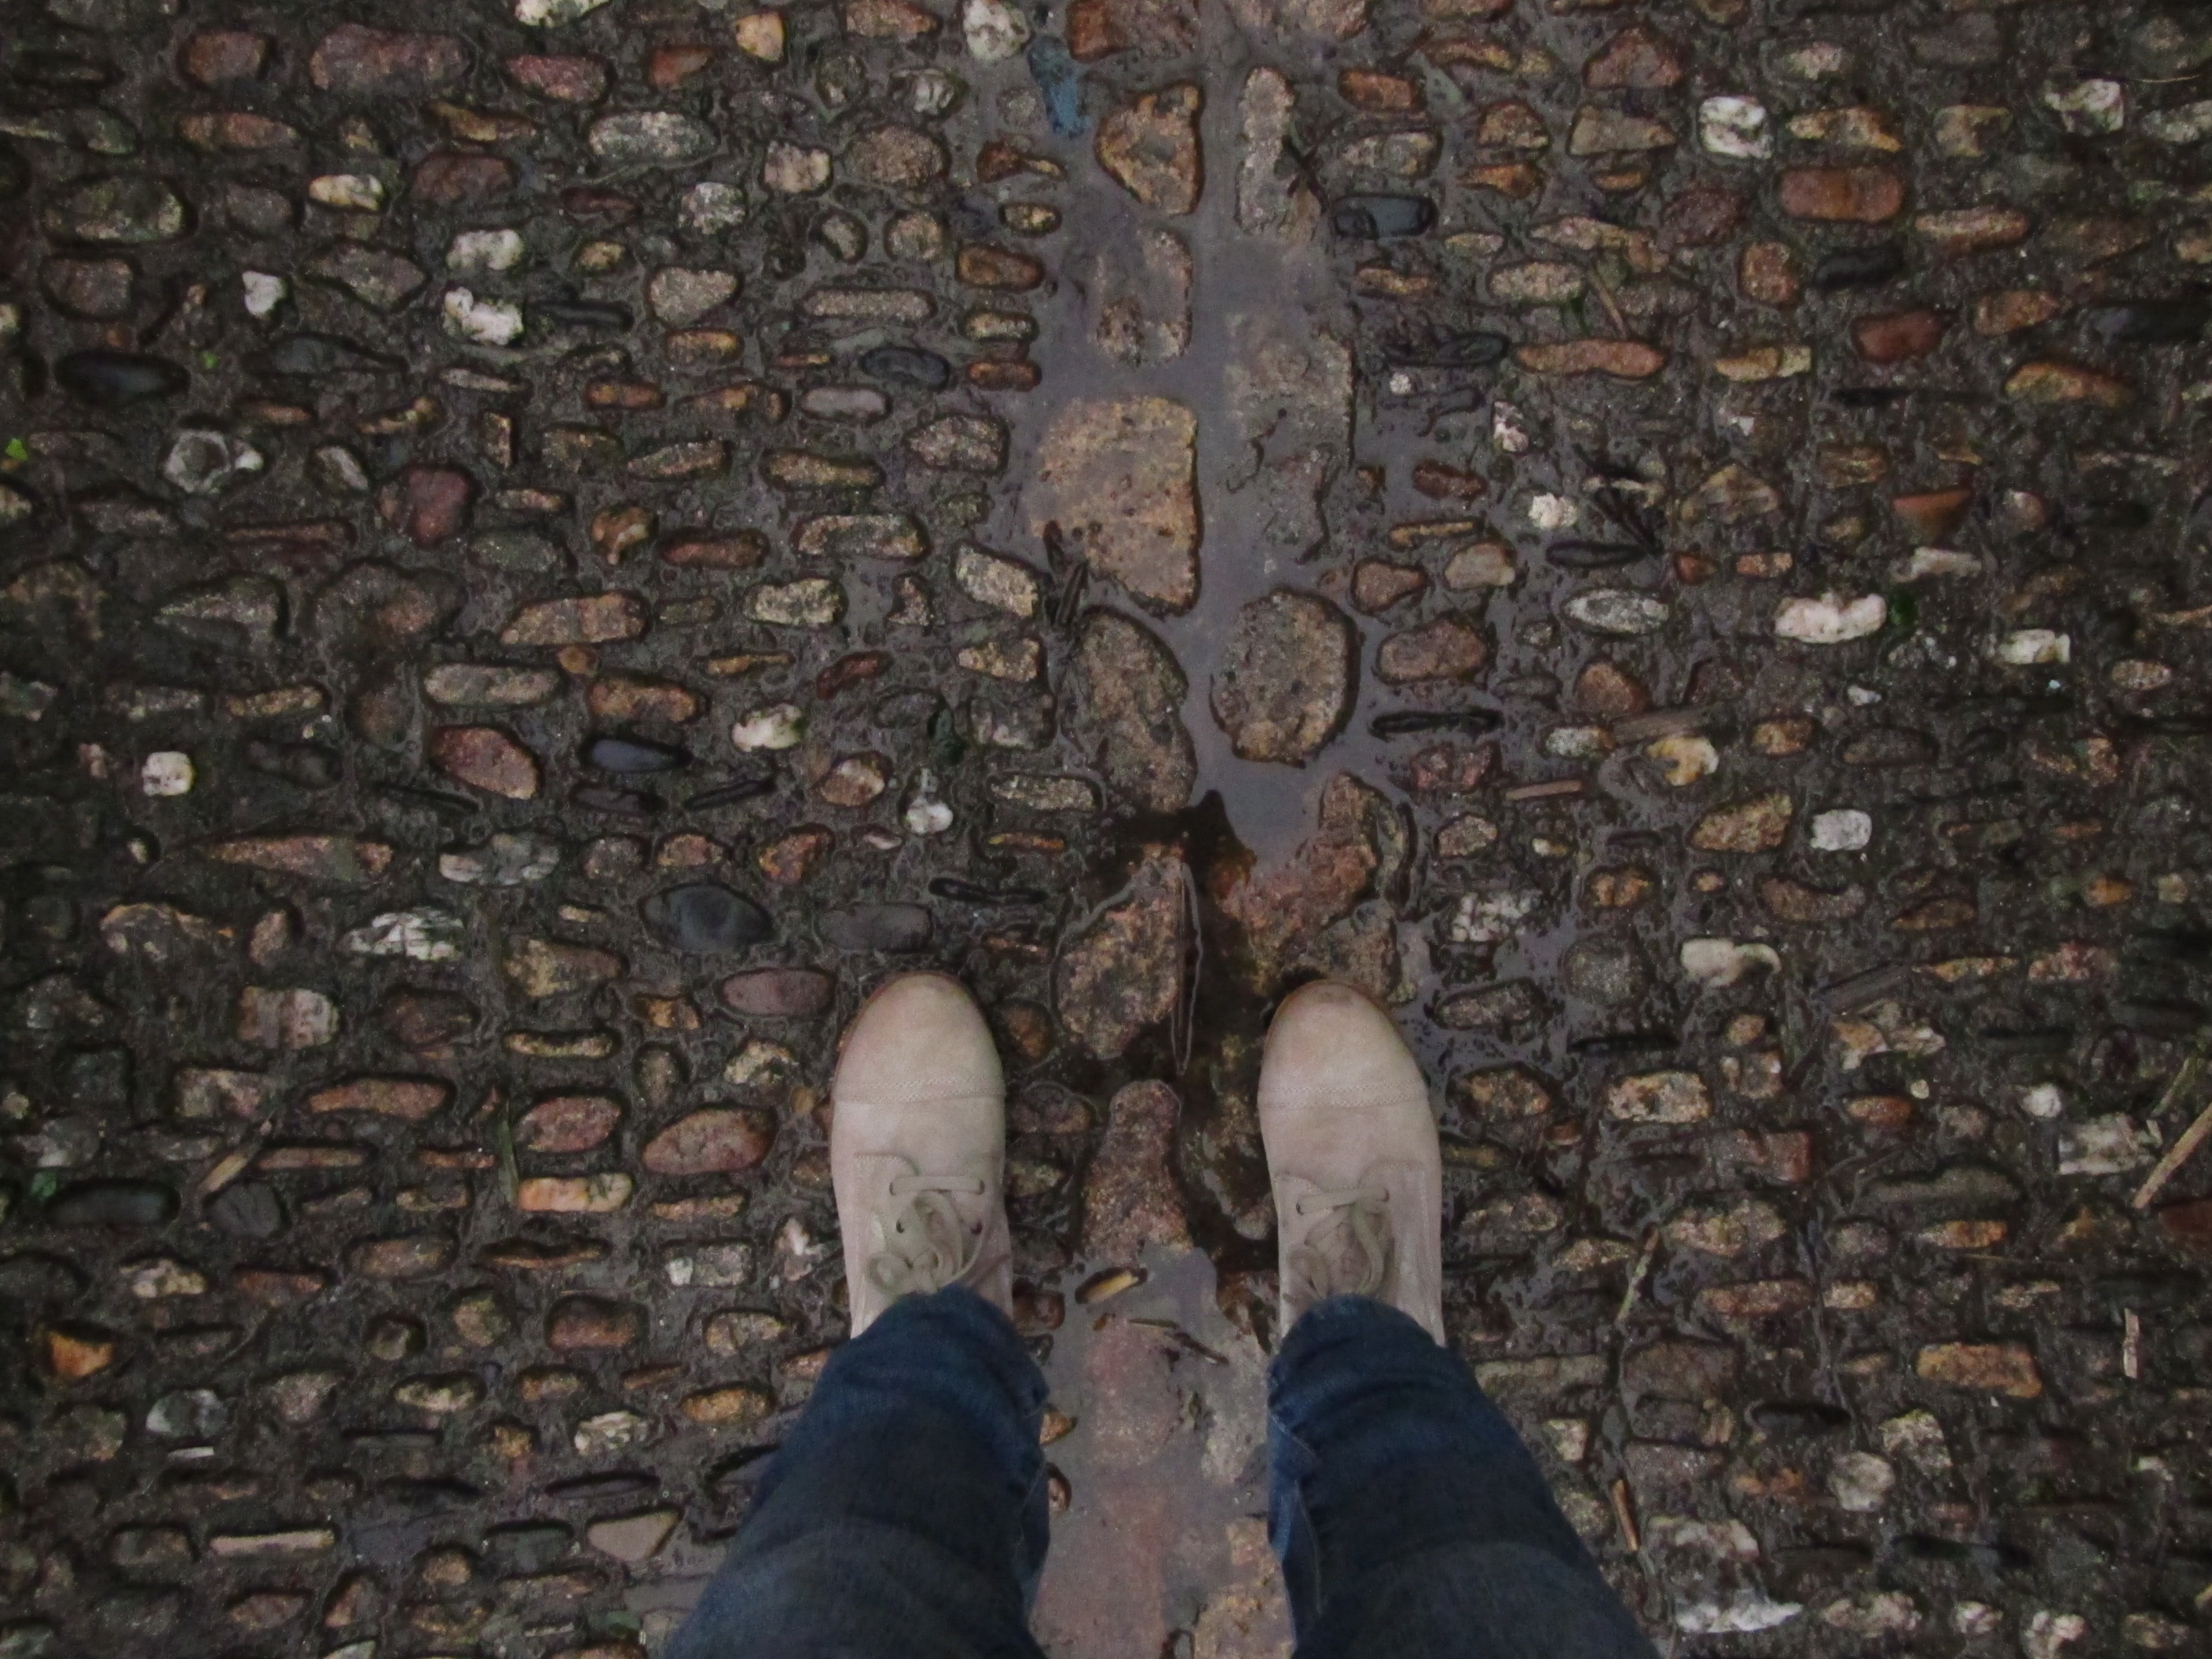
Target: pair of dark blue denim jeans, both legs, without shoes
{"x":906,"y":1514}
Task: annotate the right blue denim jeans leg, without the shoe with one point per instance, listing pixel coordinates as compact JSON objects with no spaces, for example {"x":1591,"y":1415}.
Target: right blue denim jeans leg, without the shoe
{"x":1410,"y":1519}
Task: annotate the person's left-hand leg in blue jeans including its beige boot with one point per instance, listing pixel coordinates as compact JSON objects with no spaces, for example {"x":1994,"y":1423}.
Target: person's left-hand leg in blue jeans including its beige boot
{"x":906,"y":1514}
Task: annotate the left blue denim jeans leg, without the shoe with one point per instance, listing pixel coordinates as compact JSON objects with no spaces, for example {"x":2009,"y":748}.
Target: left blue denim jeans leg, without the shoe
{"x":906,"y":1514}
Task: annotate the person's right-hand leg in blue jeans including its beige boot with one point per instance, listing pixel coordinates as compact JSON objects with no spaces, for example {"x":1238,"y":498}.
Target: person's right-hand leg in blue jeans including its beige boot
{"x":1410,"y":1519}
